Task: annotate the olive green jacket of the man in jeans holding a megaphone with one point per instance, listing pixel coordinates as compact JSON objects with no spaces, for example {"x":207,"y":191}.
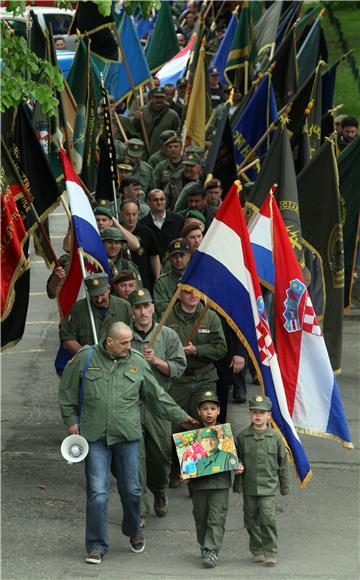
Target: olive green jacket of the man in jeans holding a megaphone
{"x":112,"y":391}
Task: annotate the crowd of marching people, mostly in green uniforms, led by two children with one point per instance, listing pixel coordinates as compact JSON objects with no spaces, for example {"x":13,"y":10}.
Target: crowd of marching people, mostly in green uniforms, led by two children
{"x":143,"y":381}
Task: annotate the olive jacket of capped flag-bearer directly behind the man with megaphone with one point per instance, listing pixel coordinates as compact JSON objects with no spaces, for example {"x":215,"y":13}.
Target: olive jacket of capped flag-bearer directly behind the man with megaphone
{"x":77,"y":326}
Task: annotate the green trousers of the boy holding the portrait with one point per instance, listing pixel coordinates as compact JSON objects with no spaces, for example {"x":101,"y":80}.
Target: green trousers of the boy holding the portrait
{"x":210,"y":507}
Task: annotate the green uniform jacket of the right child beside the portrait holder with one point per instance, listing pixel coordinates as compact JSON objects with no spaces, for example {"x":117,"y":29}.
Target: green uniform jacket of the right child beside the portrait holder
{"x":265,"y":461}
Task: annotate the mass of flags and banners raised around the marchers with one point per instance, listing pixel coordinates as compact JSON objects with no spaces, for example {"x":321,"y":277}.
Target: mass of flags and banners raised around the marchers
{"x":301,"y":198}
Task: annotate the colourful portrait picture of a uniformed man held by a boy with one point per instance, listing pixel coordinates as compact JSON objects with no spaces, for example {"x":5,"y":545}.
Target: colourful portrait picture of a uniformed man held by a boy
{"x":206,"y":451}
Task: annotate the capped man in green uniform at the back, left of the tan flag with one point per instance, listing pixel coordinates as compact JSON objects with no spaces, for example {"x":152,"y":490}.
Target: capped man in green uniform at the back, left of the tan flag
{"x":158,"y":117}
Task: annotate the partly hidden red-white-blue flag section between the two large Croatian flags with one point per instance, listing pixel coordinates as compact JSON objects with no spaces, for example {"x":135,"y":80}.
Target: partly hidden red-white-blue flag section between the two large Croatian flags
{"x":259,"y":230}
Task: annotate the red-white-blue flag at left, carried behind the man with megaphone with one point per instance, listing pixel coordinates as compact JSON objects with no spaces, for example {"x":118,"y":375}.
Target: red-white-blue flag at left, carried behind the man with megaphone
{"x":85,"y":238}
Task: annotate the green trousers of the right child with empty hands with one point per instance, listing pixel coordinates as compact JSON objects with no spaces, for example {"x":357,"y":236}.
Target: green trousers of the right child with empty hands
{"x":260,"y":521}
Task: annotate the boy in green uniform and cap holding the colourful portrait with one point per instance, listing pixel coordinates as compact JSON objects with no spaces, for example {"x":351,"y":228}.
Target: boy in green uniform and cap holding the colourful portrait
{"x":210,"y":494}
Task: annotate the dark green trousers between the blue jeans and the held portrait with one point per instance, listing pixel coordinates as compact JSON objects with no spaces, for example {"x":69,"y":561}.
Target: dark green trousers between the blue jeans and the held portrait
{"x":155,"y":456}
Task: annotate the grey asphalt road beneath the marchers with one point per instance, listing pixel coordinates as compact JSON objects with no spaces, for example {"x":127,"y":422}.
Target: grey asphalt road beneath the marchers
{"x":43,"y":498}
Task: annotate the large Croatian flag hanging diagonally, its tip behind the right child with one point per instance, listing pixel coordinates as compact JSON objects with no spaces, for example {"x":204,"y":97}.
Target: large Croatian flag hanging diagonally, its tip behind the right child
{"x":228,"y":279}
